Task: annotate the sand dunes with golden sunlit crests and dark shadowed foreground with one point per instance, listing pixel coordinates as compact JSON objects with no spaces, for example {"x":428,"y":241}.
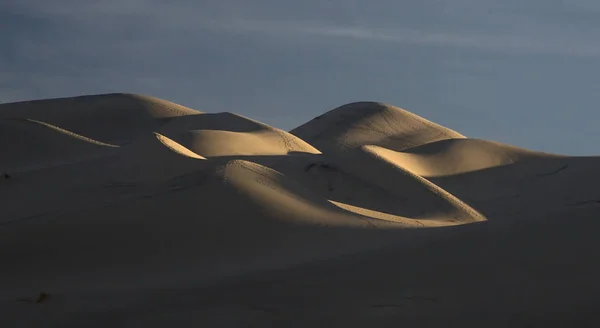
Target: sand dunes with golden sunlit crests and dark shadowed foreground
{"x":123,"y":210}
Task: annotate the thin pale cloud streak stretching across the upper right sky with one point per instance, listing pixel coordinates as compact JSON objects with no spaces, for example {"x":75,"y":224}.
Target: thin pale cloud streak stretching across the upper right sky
{"x":536,"y":43}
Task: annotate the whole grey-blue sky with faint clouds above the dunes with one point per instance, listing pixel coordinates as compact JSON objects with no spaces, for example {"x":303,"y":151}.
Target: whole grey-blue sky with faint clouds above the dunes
{"x":522,"y":72}
